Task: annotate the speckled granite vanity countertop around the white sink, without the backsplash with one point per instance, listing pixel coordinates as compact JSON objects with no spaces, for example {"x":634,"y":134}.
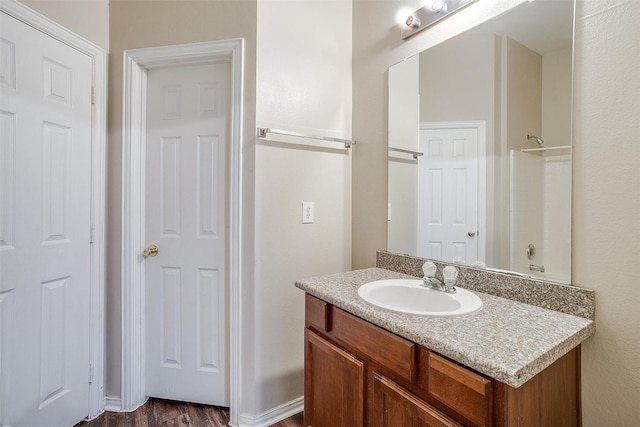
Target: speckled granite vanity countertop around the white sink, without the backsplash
{"x":506,"y":340}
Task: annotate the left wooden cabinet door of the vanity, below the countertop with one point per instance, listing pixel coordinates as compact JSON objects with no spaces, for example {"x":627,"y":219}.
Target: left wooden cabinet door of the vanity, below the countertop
{"x":333,"y":386}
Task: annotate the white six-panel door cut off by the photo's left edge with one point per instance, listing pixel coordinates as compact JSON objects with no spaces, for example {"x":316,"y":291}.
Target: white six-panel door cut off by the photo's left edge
{"x":45,"y":195}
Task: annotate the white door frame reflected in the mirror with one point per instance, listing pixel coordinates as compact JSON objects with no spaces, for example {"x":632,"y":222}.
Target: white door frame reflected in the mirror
{"x":480,"y":127}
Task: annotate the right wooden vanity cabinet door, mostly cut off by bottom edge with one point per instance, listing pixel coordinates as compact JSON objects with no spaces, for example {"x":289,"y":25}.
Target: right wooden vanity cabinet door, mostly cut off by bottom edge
{"x":393,"y":406}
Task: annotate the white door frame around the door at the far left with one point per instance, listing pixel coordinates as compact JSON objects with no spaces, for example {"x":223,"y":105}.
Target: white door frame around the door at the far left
{"x":98,"y":57}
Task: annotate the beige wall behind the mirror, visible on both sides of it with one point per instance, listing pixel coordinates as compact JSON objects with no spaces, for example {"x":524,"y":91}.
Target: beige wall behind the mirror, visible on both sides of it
{"x":606,"y":202}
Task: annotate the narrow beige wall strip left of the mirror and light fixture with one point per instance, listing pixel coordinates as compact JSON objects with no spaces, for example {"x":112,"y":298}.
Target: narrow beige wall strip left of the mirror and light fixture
{"x":373,"y":38}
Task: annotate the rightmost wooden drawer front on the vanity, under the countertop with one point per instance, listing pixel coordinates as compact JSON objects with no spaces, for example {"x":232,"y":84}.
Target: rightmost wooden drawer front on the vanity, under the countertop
{"x":461,"y":389}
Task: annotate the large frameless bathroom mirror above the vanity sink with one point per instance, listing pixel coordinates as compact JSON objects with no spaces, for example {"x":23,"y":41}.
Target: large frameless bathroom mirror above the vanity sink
{"x":479,"y":157}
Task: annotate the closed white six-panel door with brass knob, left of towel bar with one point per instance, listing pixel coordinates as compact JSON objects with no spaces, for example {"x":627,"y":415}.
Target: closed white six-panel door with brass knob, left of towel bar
{"x":186,"y":291}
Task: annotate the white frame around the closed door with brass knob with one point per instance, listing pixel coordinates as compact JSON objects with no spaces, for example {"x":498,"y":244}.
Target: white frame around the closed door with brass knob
{"x":136,"y":63}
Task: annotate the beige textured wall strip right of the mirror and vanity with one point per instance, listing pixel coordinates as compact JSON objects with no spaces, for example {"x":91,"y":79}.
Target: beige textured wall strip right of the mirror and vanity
{"x":606,"y":205}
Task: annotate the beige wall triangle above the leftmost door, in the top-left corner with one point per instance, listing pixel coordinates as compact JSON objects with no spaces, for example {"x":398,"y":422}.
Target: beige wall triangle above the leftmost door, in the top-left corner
{"x":87,"y":18}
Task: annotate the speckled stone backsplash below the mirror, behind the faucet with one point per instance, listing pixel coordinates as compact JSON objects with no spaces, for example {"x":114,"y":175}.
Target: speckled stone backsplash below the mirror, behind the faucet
{"x":554,"y":296}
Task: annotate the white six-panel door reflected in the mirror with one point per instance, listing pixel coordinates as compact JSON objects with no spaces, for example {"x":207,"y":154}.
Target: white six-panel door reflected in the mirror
{"x":448,"y":194}
